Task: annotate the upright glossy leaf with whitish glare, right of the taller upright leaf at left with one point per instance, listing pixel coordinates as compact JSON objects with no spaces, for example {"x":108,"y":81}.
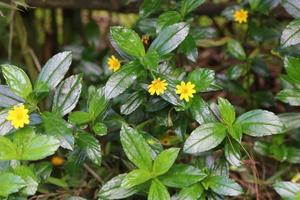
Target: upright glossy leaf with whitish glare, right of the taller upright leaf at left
{"x":67,"y":95}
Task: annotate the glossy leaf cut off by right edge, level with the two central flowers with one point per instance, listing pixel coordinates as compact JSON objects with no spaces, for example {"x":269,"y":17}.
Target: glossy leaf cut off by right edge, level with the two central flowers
{"x":290,"y":96}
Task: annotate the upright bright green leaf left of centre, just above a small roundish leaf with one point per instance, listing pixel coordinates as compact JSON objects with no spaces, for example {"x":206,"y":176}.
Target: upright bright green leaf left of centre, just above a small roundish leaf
{"x":97,"y":104}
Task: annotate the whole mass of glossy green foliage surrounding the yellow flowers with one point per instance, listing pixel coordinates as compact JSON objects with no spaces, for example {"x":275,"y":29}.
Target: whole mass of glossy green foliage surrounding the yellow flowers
{"x":177,"y":149}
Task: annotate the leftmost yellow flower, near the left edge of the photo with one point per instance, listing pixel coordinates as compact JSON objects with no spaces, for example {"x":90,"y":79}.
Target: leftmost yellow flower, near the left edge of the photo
{"x":18,"y":116}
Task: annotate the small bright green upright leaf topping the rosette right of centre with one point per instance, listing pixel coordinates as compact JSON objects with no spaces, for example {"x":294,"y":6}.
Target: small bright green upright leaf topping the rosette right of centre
{"x":226,"y":110}
